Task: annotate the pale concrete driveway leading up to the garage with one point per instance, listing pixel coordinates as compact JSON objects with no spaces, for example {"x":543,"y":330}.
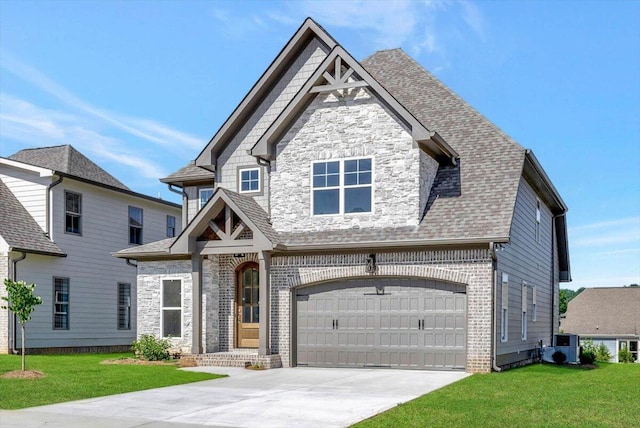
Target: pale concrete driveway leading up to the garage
{"x":295,"y":397}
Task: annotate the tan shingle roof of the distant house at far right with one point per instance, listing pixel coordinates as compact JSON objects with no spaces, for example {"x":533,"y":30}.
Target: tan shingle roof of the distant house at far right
{"x":604,"y":311}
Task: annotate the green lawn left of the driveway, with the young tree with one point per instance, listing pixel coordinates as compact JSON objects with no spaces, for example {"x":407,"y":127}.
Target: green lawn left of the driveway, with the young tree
{"x":74,"y":377}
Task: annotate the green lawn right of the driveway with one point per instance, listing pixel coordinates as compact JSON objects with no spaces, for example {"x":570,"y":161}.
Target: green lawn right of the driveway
{"x":536,"y":395}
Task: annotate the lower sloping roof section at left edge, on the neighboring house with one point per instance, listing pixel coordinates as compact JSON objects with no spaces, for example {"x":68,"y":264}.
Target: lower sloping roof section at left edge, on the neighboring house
{"x":20,"y":230}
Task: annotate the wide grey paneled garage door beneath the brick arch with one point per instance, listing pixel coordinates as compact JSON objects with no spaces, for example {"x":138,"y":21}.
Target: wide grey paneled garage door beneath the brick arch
{"x":382,"y":322}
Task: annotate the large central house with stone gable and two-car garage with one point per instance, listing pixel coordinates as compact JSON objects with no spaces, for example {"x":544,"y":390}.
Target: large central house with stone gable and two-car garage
{"x":357,"y":214}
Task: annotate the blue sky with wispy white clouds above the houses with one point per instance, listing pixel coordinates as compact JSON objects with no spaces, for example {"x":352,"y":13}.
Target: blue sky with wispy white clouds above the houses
{"x":141,"y":86}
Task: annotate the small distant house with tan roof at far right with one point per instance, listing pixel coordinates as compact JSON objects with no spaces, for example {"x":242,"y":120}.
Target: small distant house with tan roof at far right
{"x":606,"y":315}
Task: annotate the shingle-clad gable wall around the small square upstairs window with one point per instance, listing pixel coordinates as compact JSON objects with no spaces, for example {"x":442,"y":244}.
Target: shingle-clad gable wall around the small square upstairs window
{"x":235,"y":154}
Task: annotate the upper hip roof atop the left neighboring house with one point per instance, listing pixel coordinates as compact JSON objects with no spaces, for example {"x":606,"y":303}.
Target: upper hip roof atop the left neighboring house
{"x":69,"y":161}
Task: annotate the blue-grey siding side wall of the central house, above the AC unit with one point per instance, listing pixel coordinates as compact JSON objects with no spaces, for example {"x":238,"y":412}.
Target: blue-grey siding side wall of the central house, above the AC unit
{"x":529,"y":260}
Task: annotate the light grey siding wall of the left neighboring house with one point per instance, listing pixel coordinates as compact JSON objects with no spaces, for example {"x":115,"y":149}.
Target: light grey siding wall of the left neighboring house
{"x":93,"y":272}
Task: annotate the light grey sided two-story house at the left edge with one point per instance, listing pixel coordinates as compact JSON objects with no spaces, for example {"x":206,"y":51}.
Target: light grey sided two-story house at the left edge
{"x":61,"y":217}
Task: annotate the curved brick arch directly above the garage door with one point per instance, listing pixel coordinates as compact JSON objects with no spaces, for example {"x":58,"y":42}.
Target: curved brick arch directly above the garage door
{"x":410,"y":271}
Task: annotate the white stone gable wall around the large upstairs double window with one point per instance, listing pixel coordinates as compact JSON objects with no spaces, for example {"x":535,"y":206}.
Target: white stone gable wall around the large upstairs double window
{"x":358,"y":126}
